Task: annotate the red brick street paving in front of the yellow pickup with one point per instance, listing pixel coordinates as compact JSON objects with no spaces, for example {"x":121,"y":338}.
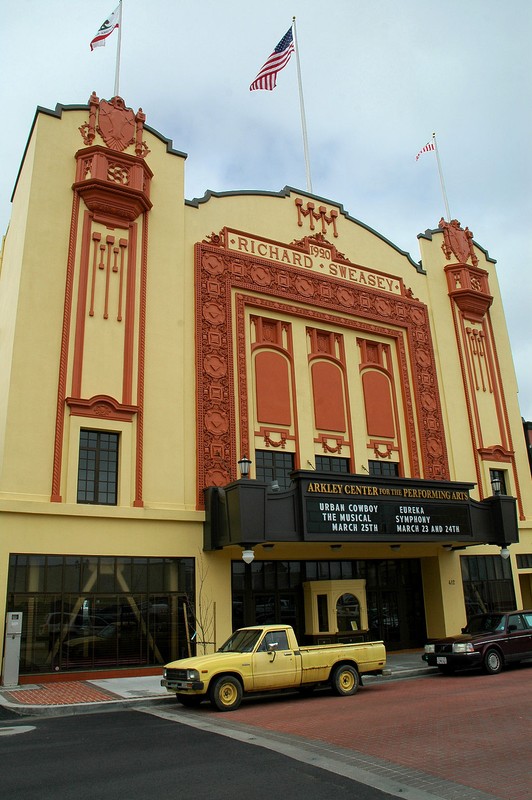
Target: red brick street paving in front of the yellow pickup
{"x":474,"y":730}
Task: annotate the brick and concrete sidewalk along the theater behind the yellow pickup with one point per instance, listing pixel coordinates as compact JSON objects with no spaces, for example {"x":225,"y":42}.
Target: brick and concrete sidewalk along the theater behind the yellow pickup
{"x":74,"y":697}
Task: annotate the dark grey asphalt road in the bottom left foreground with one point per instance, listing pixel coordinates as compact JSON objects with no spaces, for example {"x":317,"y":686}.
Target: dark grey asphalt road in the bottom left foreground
{"x":129,"y":754}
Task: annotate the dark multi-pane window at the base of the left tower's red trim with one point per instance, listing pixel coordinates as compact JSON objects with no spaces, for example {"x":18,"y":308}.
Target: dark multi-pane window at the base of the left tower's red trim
{"x":98,"y":468}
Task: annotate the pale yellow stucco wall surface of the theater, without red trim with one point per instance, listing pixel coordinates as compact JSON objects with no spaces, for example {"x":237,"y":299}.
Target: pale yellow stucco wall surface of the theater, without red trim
{"x":32,"y":289}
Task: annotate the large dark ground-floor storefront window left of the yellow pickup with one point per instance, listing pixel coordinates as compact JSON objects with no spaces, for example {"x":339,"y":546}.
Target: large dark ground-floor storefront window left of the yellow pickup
{"x":95,"y":612}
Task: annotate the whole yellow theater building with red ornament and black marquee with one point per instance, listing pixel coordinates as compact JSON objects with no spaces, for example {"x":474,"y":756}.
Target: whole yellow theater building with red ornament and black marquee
{"x":244,"y":408}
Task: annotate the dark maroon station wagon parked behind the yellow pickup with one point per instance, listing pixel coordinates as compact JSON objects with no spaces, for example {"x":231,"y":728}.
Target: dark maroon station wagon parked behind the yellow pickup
{"x":489,"y":641}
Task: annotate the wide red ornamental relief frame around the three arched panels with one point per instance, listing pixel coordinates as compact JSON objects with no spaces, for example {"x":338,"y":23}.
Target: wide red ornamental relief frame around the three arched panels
{"x":219,"y":271}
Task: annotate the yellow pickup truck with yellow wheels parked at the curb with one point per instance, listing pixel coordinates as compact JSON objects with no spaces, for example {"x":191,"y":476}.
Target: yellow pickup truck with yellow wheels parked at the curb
{"x":265,"y":658}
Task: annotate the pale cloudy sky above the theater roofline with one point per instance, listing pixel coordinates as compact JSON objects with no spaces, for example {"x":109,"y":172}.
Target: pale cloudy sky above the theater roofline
{"x":378,"y":77}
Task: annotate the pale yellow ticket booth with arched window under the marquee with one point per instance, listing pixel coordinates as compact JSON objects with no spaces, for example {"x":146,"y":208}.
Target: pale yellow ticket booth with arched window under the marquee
{"x":336,"y":611}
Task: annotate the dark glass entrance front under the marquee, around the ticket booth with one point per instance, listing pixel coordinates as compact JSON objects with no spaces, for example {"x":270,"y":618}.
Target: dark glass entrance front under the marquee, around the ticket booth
{"x":272,"y":591}
